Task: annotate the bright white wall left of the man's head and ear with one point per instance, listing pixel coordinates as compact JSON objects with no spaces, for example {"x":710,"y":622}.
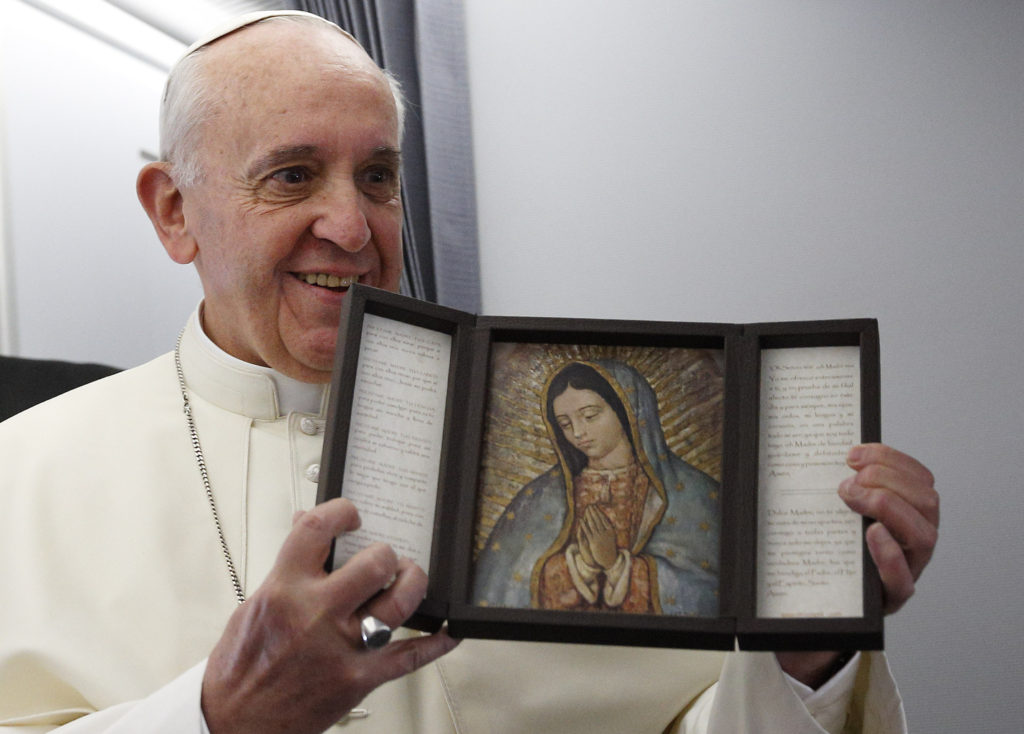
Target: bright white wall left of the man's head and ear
{"x":88,"y":279}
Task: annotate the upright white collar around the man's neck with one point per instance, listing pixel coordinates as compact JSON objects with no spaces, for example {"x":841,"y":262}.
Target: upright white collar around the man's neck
{"x":250,"y":391}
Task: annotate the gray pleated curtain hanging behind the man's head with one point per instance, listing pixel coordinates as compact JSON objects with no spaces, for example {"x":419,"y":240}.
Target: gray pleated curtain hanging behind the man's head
{"x":422,"y":44}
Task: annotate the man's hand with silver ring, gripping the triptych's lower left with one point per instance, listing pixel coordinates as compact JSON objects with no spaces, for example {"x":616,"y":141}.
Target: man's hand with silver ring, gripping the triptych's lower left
{"x":292,"y":658}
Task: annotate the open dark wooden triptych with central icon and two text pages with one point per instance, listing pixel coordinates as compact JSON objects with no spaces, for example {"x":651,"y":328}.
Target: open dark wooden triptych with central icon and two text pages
{"x":491,"y":450}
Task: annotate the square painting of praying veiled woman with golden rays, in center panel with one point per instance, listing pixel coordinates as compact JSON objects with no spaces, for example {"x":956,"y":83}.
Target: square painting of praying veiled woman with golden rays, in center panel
{"x":601,"y":480}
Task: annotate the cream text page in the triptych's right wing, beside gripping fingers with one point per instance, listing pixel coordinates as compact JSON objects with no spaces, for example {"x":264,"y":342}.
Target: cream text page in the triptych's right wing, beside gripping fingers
{"x":809,"y":543}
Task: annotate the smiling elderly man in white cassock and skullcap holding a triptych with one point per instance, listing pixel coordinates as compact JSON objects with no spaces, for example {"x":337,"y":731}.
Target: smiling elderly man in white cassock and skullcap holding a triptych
{"x":164,"y":557}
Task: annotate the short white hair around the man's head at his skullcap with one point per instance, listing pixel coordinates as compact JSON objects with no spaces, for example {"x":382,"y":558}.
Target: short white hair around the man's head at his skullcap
{"x":188,"y":103}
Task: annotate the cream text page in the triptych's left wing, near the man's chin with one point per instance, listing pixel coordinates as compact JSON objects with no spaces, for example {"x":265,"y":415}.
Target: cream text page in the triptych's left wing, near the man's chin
{"x":395,"y":443}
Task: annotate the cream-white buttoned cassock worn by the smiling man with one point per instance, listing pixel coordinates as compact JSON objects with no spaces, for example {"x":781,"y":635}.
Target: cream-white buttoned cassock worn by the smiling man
{"x":114,"y":589}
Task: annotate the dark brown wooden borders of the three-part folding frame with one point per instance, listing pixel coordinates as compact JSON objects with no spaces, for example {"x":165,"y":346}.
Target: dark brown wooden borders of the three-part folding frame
{"x":451,"y":571}
